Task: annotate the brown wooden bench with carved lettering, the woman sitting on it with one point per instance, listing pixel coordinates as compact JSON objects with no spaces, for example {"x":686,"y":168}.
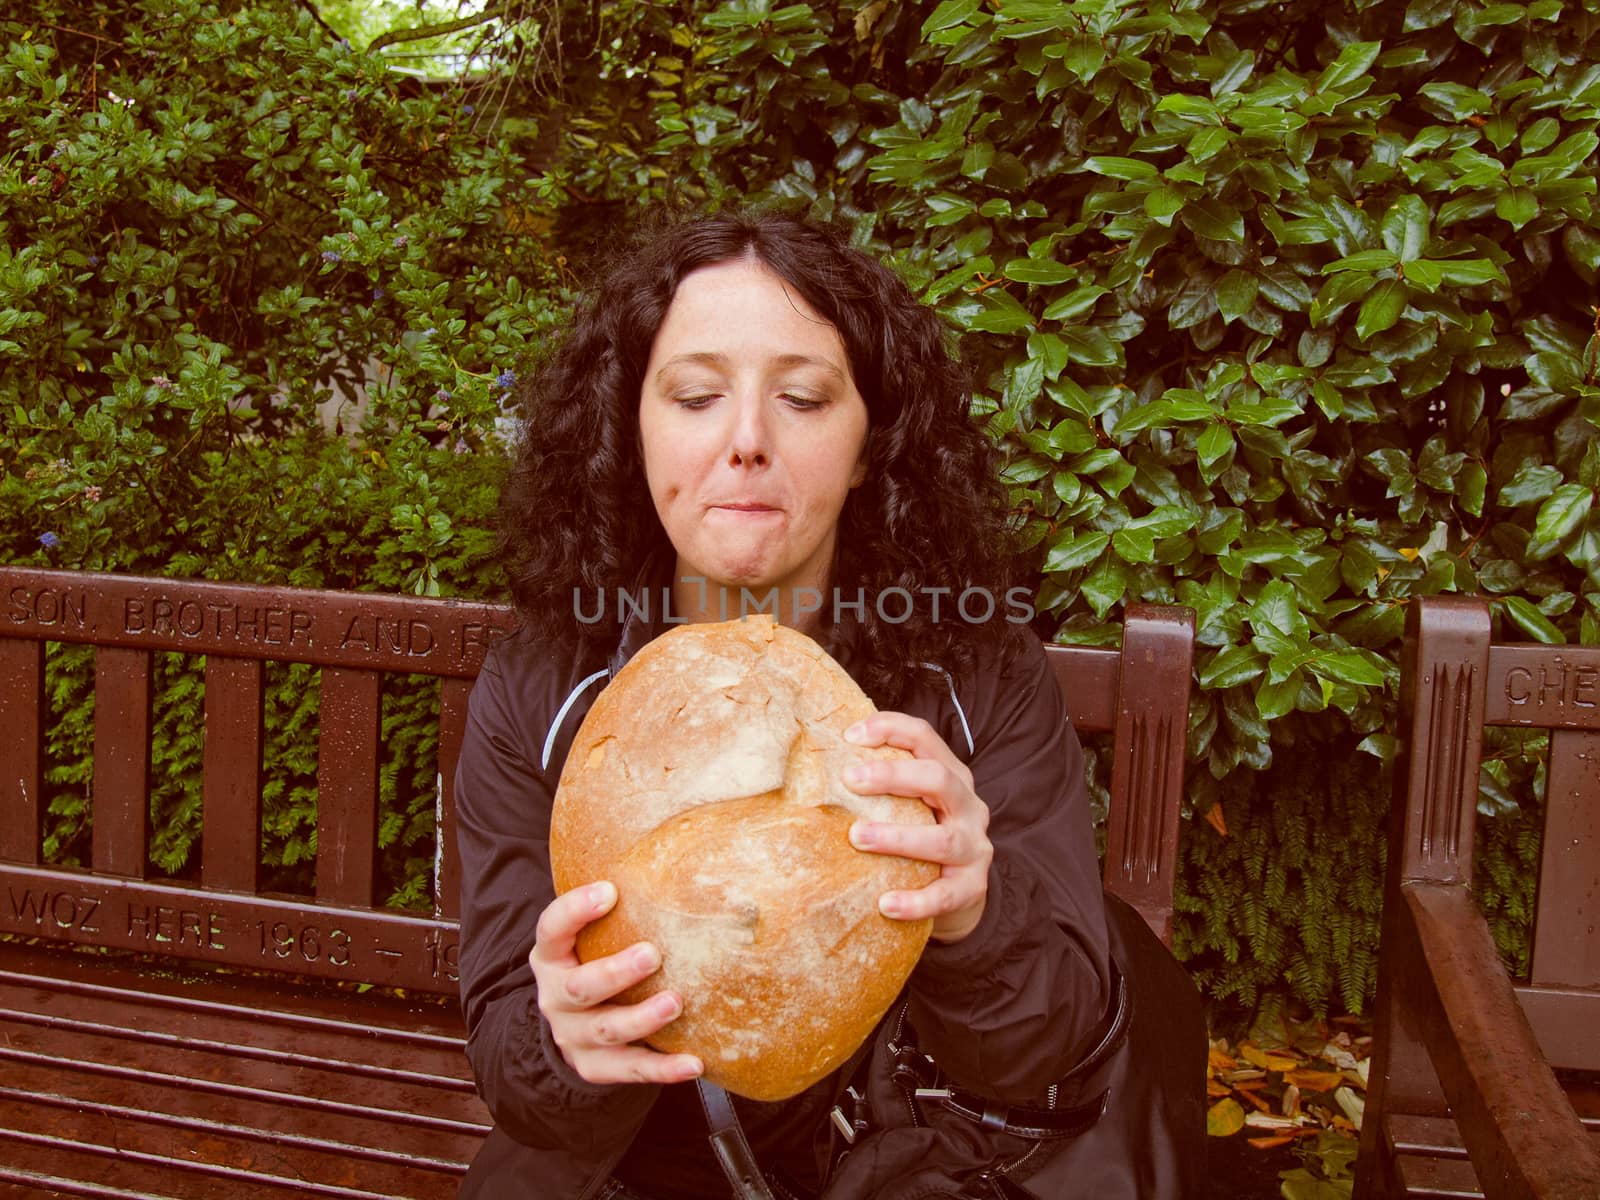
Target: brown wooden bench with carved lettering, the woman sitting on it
{"x":206,"y":1038}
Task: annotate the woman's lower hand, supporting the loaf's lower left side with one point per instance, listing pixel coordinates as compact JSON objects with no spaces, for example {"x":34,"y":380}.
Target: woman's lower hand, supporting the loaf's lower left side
{"x":596,"y":1038}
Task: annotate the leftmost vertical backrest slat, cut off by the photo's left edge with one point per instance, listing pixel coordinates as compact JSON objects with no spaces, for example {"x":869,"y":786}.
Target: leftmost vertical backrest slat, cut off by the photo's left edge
{"x":22,"y":750}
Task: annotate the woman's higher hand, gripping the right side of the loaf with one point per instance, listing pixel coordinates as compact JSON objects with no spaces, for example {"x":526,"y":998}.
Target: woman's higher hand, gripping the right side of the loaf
{"x":959,"y":844}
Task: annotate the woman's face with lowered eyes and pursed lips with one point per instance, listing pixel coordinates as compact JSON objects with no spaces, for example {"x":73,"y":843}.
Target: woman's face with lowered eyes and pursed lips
{"x":753,"y":431}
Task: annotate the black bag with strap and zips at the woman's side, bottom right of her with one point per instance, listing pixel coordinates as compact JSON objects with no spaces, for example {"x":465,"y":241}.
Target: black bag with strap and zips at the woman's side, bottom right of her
{"x":1148,"y":1142}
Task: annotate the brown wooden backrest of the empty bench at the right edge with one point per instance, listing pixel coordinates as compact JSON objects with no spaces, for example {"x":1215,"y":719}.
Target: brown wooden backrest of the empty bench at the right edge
{"x":1458,"y":684}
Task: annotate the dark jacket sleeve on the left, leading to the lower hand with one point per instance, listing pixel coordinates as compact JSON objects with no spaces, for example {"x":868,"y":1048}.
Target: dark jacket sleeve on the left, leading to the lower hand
{"x":503,"y":820}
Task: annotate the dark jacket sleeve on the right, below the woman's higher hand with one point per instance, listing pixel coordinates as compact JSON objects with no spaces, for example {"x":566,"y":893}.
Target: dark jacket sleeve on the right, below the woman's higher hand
{"x":1017,"y":1004}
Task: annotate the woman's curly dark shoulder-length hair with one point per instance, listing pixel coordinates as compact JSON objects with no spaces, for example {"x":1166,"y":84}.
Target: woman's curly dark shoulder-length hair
{"x":932,"y":514}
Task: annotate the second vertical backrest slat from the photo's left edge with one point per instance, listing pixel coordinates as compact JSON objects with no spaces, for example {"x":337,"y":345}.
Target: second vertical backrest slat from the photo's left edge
{"x":122,"y":761}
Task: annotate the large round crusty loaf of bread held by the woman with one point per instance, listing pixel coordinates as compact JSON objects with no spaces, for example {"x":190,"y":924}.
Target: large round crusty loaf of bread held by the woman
{"x":706,"y":783}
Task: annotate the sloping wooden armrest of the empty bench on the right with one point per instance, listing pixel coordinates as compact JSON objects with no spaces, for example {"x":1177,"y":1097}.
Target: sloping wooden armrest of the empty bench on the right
{"x":1519,"y":1127}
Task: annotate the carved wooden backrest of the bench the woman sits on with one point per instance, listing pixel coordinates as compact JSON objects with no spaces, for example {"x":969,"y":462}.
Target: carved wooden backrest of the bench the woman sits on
{"x":1140,"y":695}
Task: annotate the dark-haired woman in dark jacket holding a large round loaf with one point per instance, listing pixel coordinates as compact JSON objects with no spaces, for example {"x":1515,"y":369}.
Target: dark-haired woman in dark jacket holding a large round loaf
{"x":750,"y":404}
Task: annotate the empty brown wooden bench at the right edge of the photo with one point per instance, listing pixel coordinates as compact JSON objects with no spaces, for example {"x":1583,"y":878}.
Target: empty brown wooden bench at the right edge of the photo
{"x":1463,"y":1100}
